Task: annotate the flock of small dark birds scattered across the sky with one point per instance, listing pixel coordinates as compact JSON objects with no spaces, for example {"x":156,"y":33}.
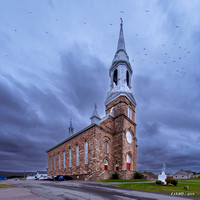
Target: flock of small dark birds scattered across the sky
{"x":145,"y":53}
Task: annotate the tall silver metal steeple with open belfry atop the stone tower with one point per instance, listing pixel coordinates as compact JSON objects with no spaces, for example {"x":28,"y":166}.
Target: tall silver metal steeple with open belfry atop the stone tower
{"x":120,"y":72}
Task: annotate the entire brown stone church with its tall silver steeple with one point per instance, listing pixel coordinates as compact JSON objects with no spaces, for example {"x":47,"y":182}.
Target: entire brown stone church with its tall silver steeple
{"x":108,"y":144}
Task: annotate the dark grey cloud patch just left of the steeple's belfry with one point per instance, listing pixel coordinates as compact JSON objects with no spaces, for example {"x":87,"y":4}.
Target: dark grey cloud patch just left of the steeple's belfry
{"x":85,"y":77}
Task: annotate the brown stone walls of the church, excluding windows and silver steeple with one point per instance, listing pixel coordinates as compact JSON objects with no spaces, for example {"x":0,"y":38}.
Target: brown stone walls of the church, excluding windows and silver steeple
{"x":113,"y":131}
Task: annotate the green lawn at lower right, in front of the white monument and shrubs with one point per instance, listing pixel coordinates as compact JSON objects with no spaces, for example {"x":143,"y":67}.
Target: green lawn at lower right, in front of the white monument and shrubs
{"x":194,"y":189}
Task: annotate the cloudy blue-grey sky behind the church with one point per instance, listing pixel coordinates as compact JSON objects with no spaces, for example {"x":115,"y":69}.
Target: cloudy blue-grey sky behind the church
{"x":54,"y":62}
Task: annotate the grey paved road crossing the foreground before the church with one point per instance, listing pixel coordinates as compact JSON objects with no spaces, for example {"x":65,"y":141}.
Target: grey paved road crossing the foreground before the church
{"x":81,"y":190}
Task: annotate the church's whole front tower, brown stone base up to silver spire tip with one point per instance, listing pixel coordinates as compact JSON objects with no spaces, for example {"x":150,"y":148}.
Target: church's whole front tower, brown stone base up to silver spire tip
{"x":121,"y":102}
